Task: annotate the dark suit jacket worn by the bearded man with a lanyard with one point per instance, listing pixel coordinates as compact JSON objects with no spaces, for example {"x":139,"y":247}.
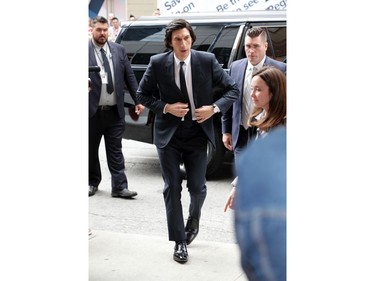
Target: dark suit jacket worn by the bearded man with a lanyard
{"x":123,"y":75}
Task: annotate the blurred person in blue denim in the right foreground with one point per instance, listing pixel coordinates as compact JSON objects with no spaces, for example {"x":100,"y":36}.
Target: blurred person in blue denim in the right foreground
{"x":260,"y":207}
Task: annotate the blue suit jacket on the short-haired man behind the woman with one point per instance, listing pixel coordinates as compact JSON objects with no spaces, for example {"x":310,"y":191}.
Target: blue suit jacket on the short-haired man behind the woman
{"x":231,"y":119}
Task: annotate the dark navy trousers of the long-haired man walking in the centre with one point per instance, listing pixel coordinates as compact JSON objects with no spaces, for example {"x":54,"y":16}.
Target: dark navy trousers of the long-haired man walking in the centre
{"x":189,"y":144}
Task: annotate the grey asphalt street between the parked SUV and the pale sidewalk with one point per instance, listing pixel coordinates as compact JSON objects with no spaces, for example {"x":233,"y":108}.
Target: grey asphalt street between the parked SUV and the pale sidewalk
{"x":146,"y":213}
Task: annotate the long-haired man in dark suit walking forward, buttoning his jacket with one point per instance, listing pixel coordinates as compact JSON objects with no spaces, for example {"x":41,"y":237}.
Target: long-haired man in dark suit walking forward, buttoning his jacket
{"x":178,"y":87}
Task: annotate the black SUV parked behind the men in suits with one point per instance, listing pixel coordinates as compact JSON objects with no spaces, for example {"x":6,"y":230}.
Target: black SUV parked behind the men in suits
{"x":219,"y":33}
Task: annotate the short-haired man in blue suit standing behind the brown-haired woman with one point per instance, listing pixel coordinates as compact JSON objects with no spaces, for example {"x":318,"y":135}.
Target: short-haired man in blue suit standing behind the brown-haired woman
{"x":234,"y":121}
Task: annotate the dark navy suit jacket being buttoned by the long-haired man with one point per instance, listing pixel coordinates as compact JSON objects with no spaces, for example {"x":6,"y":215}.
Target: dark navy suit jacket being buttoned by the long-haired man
{"x":158,"y":87}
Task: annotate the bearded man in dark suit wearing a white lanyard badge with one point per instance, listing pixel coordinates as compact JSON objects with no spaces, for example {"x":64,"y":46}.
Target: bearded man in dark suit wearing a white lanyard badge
{"x":106,"y":107}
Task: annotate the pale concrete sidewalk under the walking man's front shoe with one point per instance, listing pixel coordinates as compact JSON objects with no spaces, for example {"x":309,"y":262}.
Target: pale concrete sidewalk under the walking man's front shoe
{"x":115,"y":256}
